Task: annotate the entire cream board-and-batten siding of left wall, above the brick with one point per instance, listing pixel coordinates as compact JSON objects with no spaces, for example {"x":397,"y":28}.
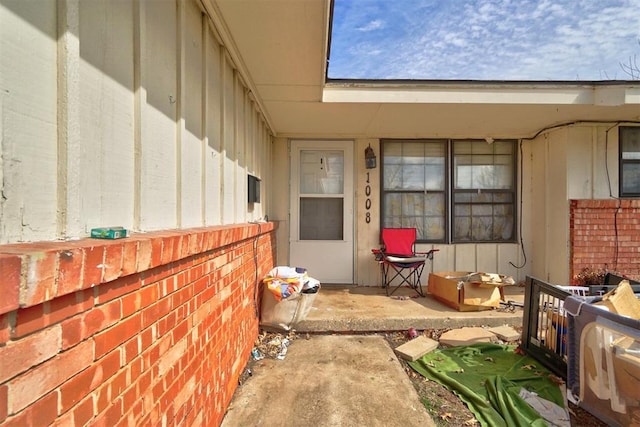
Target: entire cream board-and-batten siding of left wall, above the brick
{"x":122,"y":113}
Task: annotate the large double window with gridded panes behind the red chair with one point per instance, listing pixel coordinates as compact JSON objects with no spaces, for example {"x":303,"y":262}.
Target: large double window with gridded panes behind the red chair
{"x":451,"y":191}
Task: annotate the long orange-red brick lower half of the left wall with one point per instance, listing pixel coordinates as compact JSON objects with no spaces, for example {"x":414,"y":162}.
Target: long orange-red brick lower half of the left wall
{"x":147,"y":330}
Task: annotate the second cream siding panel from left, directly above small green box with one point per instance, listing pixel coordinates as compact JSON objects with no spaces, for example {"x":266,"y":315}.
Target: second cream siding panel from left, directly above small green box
{"x":106,"y":114}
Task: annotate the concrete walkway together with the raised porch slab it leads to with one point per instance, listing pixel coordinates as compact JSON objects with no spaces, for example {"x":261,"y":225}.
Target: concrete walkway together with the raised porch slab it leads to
{"x":342,"y":379}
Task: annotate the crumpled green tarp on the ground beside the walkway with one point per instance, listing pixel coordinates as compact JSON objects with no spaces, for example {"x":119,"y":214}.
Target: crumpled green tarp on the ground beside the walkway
{"x":488,"y":378}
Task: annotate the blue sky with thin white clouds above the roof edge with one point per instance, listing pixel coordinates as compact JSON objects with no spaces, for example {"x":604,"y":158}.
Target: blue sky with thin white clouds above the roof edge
{"x":484,"y":39}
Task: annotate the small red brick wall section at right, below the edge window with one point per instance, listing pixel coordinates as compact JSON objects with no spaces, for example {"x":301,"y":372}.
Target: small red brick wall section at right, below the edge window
{"x":605,"y":234}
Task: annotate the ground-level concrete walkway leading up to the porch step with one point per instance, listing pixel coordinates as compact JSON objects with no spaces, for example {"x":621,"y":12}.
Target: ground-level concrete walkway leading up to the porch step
{"x":329,"y":380}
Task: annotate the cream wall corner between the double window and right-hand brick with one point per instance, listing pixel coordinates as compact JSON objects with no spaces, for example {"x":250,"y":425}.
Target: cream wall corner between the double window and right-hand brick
{"x":575,"y":162}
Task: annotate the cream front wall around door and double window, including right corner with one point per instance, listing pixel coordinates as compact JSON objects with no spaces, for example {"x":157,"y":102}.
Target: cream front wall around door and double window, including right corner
{"x":557,"y":166}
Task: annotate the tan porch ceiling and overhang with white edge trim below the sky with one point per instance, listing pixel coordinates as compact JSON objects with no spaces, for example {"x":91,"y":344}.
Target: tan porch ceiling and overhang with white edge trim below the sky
{"x":280,"y":46}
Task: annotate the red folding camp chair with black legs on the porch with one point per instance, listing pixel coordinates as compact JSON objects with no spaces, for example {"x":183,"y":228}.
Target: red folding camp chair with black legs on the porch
{"x":398,"y":259}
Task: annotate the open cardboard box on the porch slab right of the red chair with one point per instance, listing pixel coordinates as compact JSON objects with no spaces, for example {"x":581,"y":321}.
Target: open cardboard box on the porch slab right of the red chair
{"x":465,"y":291}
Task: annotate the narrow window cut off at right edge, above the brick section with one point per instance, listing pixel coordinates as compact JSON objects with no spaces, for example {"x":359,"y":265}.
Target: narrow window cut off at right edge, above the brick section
{"x":629,"y":161}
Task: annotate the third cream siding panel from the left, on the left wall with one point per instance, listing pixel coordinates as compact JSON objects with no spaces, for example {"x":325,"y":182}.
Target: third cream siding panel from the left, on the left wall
{"x":158,"y":115}
